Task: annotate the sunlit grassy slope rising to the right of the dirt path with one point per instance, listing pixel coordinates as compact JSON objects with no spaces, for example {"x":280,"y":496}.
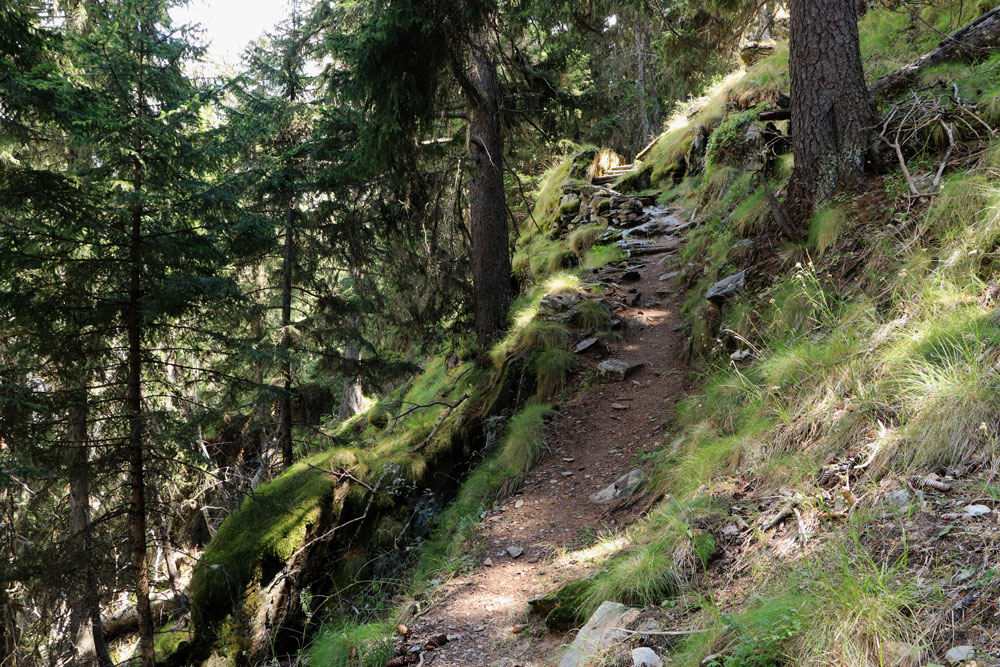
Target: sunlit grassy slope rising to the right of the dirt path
{"x":877,"y":336}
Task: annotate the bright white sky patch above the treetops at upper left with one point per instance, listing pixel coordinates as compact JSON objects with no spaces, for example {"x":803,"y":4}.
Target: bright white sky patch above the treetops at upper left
{"x":229,"y":25}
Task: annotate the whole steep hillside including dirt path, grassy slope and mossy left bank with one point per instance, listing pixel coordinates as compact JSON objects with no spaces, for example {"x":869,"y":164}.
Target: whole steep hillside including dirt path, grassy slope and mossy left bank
{"x":816,"y":423}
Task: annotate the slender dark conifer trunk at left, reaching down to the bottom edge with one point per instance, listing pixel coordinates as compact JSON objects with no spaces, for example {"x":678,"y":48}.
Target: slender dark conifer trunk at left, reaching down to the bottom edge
{"x":136,"y":463}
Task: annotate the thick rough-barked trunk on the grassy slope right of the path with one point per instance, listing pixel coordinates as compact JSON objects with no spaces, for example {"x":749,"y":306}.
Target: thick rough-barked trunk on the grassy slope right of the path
{"x":833,"y":116}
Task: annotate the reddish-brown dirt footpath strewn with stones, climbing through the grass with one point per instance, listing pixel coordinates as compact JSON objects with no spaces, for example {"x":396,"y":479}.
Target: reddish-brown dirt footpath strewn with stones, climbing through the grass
{"x":599,"y":434}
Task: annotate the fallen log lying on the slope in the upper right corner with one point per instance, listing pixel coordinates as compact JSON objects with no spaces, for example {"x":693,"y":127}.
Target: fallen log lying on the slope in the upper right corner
{"x":976,"y":40}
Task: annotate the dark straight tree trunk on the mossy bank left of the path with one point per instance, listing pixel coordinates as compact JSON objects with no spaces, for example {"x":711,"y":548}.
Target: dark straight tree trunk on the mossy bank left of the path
{"x":487,"y":204}
